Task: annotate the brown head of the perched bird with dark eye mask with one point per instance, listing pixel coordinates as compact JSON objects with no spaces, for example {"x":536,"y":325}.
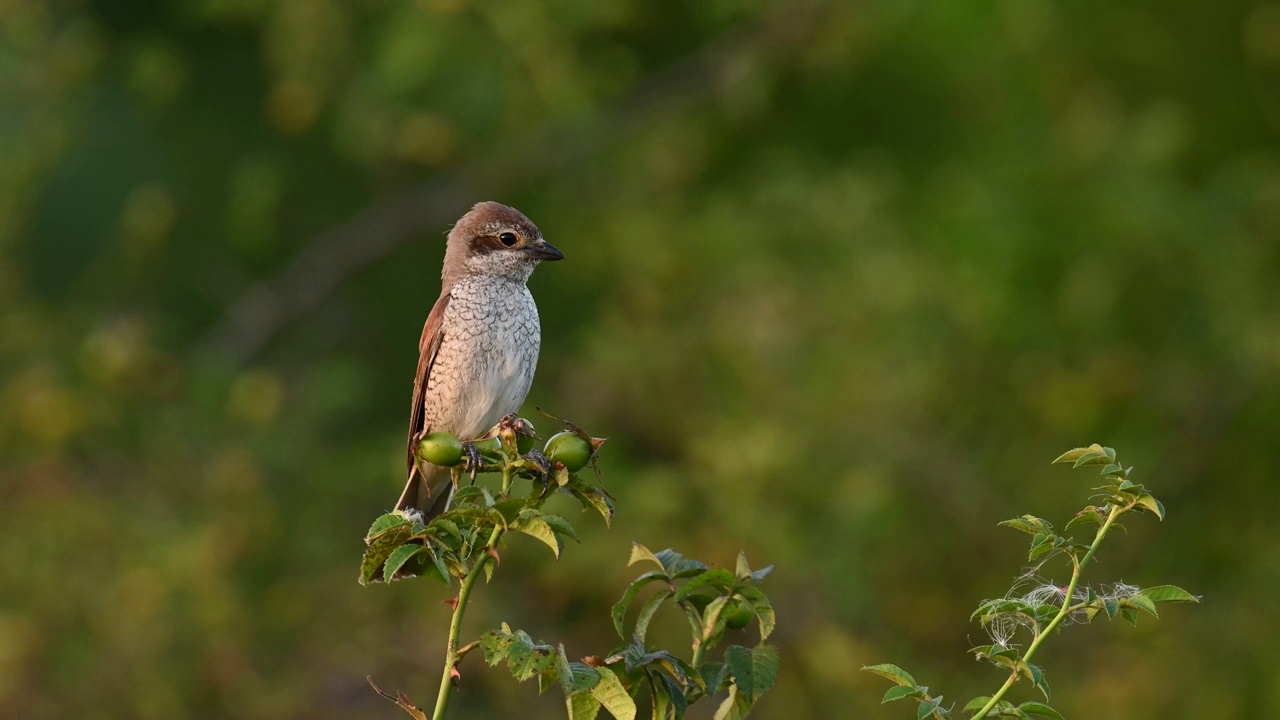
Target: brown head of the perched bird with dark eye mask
{"x":496,"y":240}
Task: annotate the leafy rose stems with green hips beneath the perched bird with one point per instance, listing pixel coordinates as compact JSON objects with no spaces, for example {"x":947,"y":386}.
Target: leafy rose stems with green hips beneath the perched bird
{"x":461,"y":543}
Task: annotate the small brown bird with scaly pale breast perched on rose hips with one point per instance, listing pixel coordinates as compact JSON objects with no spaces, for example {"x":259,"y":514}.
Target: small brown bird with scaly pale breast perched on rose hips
{"x":479,"y":347}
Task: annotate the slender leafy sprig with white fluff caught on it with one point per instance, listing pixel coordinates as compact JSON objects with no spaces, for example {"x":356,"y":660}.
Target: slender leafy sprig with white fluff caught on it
{"x":1048,"y":607}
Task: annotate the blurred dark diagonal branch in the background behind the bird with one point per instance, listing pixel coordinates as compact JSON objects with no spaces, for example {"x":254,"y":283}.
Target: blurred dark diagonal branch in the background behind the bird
{"x":333,"y":257}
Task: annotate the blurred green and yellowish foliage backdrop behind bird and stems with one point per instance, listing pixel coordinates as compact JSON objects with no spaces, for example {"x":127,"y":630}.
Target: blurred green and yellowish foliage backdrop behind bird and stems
{"x":843,"y":279}
